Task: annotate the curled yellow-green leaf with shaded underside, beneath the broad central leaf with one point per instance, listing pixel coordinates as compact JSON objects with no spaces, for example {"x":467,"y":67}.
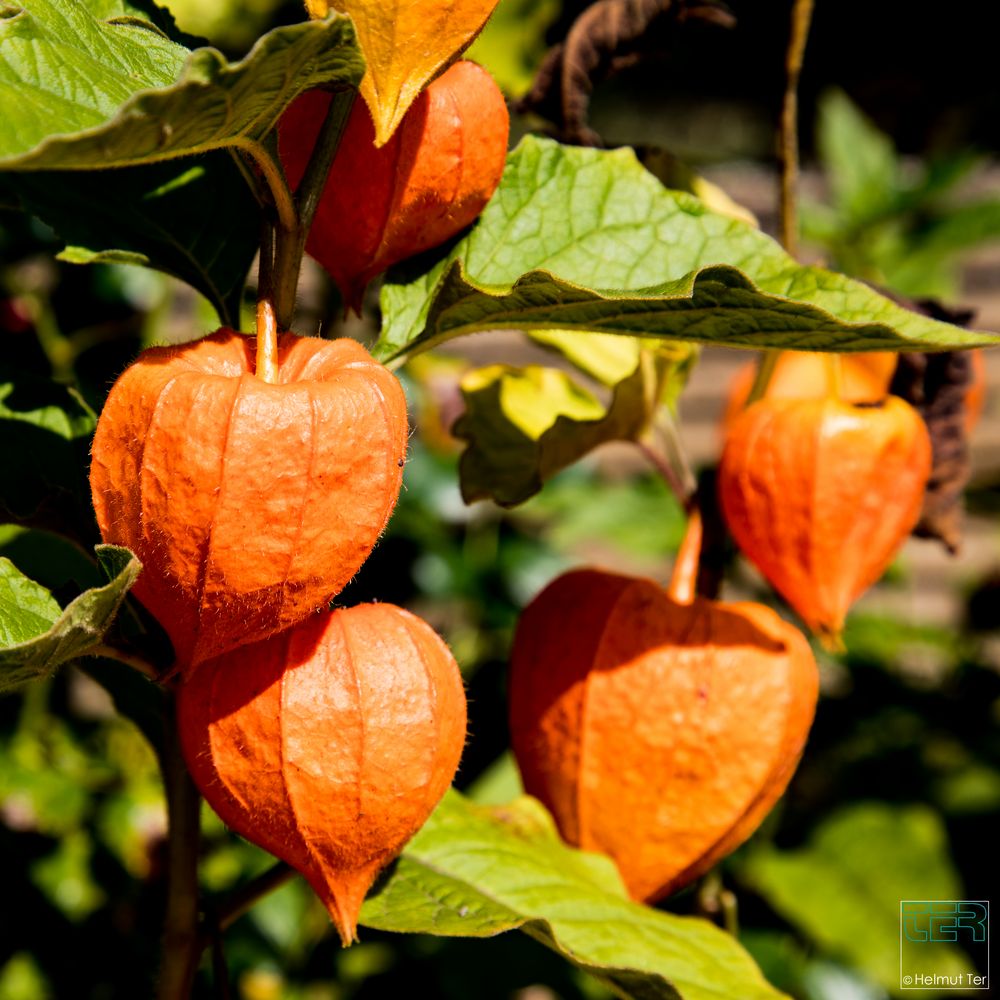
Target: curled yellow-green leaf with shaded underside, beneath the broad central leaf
{"x":522,"y":425}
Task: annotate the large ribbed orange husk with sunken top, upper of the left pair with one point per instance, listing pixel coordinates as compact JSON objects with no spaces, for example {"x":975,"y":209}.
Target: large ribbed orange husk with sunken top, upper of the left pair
{"x":249,"y":504}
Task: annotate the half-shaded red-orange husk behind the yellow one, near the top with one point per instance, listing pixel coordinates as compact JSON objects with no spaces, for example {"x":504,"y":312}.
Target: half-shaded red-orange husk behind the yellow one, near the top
{"x":428,"y":182}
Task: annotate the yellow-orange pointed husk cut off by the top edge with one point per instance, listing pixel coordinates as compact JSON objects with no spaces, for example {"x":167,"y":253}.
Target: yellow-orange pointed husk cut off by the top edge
{"x":405,"y":44}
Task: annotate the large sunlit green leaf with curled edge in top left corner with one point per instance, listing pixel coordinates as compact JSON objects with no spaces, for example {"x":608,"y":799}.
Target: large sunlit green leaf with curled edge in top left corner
{"x":86,"y":93}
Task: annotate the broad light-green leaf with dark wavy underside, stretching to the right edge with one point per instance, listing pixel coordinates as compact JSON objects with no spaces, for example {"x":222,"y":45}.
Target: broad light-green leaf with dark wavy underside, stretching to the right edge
{"x":587,"y":240}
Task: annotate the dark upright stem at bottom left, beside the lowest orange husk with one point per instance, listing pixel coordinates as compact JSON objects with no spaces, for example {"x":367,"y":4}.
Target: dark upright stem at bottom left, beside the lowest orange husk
{"x":182,"y":942}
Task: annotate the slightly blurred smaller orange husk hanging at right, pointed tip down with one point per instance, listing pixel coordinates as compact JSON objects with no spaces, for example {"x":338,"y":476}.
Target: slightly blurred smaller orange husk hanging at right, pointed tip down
{"x":820,"y":494}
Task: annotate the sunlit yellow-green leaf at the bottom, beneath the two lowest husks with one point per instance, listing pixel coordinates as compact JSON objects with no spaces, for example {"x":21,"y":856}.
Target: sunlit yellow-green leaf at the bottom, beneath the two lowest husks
{"x":475,"y":871}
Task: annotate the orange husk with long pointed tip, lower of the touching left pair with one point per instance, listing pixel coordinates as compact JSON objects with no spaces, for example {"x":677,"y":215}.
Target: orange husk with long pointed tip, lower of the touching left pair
{"x":329,"y":744}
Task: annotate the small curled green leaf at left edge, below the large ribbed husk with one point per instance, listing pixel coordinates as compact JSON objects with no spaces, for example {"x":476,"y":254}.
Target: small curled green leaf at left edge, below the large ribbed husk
{"x":63,"y":636}
